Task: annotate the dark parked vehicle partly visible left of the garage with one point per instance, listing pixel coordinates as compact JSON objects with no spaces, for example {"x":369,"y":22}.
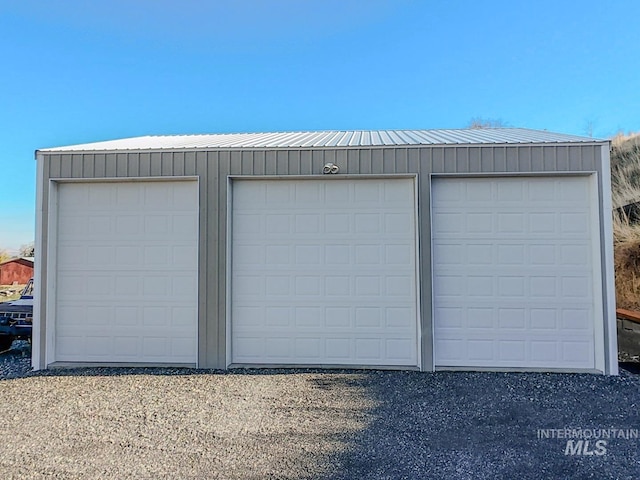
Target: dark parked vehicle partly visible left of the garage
{"x":16,"y":318}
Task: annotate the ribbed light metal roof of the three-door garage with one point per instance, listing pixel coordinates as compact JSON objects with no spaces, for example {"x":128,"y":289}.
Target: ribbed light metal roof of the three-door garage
{"x":330,"y":138}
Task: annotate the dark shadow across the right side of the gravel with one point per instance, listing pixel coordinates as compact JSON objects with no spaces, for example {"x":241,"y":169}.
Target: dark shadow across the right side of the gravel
{"x":486,"y":425}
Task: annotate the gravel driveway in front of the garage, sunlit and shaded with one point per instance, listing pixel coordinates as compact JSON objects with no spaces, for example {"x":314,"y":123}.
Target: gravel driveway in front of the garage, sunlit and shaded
{"x":186,"y":424}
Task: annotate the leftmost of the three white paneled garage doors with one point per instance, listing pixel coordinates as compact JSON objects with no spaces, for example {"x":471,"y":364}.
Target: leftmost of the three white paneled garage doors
{"x":126,"y":287}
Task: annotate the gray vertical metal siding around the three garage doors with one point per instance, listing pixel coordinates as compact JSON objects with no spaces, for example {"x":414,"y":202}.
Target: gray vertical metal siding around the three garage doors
{"x":214,"y":167}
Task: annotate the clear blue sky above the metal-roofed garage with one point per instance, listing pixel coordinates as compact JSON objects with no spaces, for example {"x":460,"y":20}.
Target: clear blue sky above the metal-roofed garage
{"x":82,"y":71}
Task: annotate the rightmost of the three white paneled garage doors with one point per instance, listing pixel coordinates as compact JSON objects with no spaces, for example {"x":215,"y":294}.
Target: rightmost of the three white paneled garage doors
{"x":514,"y":273}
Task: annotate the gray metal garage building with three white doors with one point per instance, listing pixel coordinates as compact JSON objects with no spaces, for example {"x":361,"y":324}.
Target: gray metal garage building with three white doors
{"x":407,"y":249}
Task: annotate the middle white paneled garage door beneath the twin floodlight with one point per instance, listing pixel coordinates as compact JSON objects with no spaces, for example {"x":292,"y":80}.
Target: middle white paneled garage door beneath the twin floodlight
{"x":324,"y":272}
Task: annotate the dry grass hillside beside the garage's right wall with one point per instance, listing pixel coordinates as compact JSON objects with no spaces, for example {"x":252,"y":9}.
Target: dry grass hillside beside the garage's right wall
{"x":625,"y":179}
